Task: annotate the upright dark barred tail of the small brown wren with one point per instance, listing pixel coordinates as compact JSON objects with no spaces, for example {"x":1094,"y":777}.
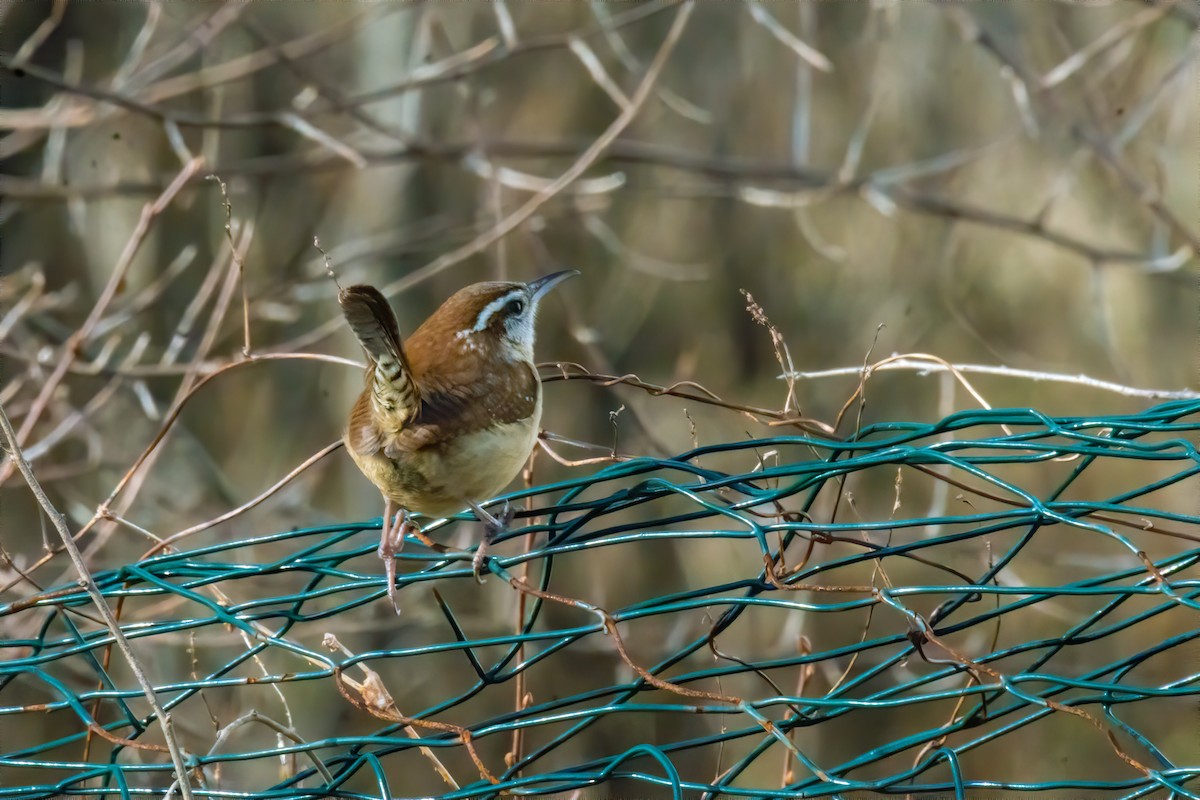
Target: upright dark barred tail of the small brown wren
{"x":394,"y":394}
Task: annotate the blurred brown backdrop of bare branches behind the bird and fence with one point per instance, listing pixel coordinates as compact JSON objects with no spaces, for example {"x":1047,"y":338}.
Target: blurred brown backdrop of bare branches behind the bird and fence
{"x":995,"y":184}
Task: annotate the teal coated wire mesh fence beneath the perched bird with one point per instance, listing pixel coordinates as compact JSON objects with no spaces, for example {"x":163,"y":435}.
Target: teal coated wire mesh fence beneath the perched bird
{"x":944,"y":610}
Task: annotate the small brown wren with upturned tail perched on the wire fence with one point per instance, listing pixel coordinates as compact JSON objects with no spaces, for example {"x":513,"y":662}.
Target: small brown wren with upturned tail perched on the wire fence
{"x":449,"y":417}
